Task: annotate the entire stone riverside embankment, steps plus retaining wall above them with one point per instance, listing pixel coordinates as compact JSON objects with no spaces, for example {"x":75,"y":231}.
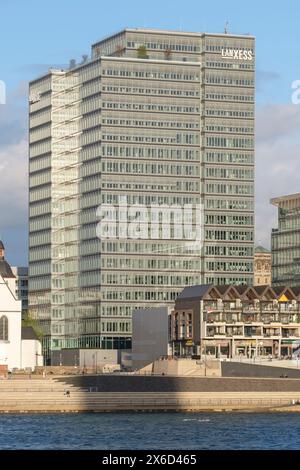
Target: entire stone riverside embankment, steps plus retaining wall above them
{"x":50,"y":395}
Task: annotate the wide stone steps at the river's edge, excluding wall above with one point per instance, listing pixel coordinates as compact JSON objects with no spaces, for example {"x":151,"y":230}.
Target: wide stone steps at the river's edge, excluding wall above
{"x":50,"y":395}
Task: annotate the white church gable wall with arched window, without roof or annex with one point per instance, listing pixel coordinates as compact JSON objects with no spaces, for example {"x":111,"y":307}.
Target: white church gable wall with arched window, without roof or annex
{"x":10,"y":327}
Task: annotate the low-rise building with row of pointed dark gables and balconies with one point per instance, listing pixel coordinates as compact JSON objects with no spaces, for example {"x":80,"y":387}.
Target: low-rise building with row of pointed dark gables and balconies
{"x":235,"y":321}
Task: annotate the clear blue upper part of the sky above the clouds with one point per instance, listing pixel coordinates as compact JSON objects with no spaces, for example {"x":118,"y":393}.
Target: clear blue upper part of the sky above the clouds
{"x":37,"y":34}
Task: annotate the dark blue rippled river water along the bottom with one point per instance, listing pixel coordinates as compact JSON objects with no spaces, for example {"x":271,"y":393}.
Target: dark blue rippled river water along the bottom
{"x":205,"y":431}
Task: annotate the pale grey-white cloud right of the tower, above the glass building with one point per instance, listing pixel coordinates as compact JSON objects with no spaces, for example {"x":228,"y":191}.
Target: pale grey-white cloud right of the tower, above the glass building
{"x":277,"y":163}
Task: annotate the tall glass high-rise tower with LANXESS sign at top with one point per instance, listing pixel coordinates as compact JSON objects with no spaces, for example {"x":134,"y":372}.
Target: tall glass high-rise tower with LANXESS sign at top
{"x":155,"y":119}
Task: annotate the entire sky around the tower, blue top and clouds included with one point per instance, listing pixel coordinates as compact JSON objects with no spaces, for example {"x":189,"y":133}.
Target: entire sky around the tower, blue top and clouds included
{"x":35,"y":35}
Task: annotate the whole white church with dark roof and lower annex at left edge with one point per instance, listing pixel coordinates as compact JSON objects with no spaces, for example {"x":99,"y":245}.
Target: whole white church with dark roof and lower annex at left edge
{"x":19,"y":348}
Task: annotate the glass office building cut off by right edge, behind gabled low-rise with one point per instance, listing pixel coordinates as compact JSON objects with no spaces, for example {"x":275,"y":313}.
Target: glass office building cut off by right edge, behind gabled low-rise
{"x":286,"y":242}
